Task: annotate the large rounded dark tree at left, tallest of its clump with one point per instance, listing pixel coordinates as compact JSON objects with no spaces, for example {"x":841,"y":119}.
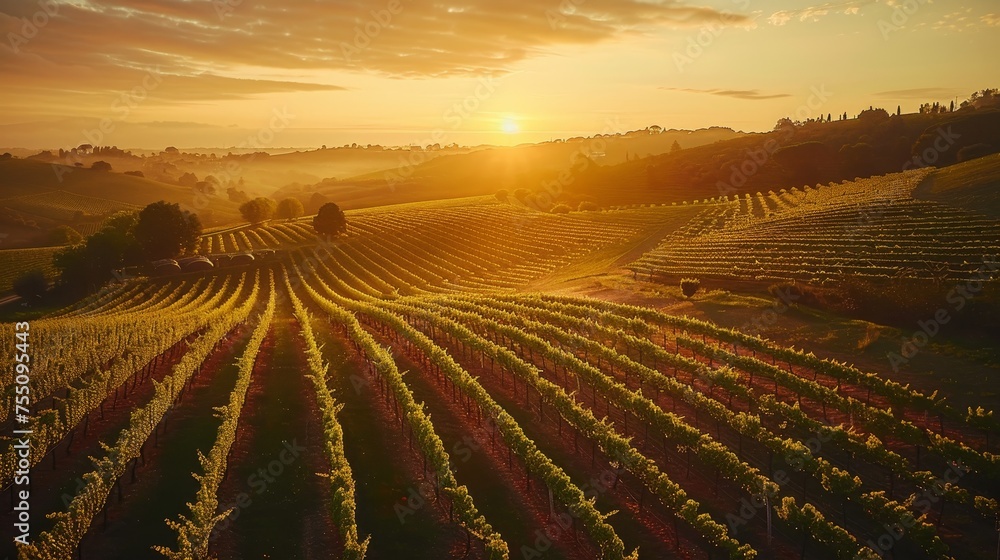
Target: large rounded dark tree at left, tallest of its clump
{"x":164,"y":231}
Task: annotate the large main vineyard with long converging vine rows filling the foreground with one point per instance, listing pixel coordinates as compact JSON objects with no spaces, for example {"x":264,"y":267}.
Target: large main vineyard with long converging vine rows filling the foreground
{"x":452,"y":413}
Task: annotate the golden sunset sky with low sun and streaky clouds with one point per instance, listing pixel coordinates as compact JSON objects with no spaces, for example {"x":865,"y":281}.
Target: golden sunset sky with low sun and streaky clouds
{"x":306,"y":73}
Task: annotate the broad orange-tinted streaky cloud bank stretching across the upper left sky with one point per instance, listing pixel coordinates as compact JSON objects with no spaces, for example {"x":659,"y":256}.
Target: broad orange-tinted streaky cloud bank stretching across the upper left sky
{"x":391,"y":37}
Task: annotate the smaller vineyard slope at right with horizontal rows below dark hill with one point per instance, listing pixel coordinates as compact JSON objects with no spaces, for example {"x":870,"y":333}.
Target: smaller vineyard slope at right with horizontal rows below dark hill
{"x":870,"y":229}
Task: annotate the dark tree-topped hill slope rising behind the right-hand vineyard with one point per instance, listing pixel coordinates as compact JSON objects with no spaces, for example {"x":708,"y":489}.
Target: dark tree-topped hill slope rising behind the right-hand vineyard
{"x":809,"y":154}
